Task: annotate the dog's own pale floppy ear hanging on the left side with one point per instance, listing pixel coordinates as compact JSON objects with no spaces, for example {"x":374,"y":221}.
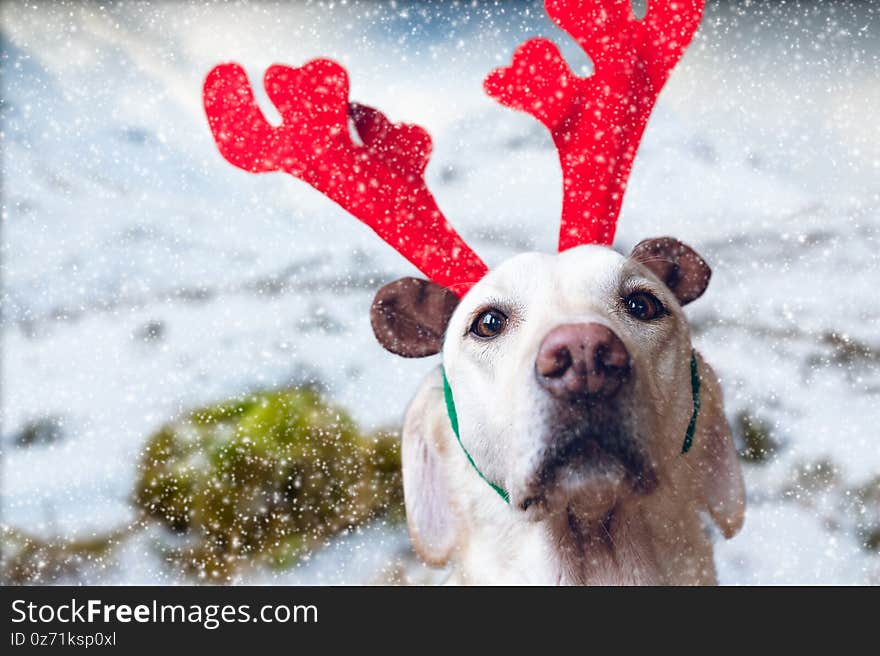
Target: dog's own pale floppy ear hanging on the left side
{"x":429,"y":514}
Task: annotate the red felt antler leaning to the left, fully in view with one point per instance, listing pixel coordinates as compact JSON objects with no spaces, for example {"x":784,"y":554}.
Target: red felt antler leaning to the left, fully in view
{"x":380,"y":182}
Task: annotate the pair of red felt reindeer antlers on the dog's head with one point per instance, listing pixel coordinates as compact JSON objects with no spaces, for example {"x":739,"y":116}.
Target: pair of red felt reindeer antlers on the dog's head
{"x":596,"y":124}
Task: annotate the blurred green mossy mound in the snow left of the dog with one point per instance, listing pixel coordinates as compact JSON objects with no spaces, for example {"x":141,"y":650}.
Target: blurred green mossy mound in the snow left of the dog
{"x":265,"y":479}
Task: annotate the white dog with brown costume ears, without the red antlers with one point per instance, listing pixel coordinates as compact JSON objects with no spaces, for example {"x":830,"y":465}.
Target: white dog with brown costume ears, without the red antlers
{"x":572,"y":435}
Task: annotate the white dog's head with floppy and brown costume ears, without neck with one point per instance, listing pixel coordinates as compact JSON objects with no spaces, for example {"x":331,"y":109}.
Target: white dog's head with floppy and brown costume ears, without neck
{"x":572,"y":386}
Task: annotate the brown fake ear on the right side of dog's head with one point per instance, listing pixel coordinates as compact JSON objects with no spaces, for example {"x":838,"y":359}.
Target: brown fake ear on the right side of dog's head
{"x":676,"y":264}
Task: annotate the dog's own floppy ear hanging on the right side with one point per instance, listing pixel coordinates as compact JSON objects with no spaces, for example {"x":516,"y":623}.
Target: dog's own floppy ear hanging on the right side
{"x":720,"y":473}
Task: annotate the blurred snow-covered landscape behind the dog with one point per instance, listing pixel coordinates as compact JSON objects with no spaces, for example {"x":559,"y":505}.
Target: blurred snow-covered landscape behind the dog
{"x":142,"y":274}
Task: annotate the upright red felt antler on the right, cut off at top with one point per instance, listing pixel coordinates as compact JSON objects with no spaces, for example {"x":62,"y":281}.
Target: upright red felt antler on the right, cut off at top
{"x":597,"y":122}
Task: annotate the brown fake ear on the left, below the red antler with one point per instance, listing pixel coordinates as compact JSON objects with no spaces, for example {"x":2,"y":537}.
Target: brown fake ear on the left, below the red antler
{"x":409,"y":316}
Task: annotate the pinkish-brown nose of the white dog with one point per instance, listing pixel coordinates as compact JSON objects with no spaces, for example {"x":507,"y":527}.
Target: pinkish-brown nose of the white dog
{"x":582,"y":360}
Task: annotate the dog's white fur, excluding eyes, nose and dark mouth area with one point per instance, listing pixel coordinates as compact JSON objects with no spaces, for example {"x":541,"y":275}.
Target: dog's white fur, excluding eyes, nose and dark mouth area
{"x":591,"y":526}
